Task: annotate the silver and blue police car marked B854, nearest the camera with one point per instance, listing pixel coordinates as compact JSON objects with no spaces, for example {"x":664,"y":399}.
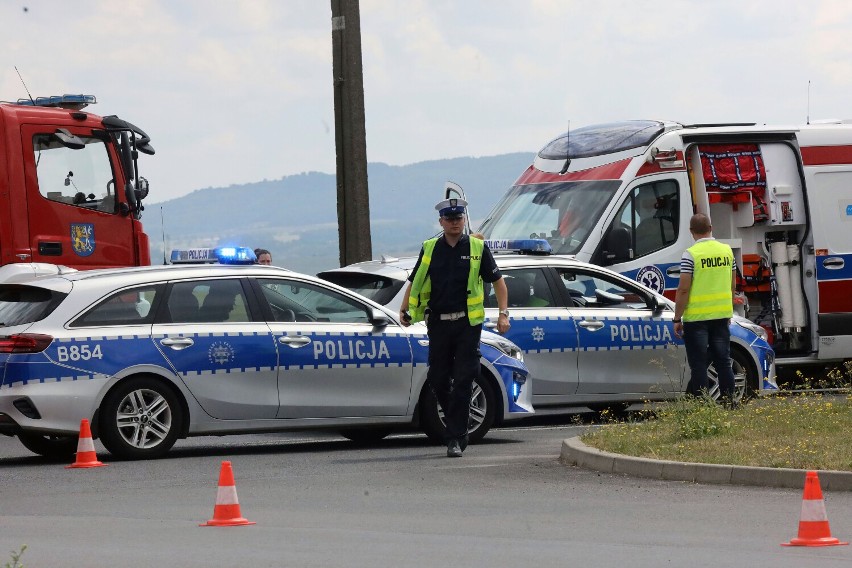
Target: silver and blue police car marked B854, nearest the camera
{"x":149,"y":355}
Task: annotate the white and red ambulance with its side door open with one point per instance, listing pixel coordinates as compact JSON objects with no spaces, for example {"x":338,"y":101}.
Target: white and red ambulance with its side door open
{"x":620,"y":195}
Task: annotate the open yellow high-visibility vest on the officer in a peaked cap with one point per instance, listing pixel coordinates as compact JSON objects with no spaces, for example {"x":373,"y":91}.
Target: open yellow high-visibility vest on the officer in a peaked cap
{"x":421,"y":286}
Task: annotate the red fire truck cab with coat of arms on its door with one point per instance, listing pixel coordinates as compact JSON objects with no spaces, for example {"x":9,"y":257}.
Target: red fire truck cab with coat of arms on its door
{"x":70,"y":191}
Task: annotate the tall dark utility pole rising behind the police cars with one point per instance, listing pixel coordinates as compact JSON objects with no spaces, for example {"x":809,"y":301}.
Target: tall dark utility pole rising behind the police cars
{"x":350,"y":135}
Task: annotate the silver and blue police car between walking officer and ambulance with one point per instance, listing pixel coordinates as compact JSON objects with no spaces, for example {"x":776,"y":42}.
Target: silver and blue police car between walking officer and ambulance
{"x":590,"y":336}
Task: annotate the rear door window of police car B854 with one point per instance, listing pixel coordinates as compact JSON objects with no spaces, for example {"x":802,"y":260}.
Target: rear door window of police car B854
{"x":207,"y":301}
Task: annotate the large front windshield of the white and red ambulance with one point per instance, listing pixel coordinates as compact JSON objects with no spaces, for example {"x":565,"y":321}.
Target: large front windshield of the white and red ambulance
{"x":564,"y":213}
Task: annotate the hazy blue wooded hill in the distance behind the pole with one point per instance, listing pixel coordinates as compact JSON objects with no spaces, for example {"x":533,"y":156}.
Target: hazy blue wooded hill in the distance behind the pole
{"x":295,"y":217}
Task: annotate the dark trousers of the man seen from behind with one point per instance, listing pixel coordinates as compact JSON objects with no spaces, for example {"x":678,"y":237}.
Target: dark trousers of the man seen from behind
{"x":706,"y":341}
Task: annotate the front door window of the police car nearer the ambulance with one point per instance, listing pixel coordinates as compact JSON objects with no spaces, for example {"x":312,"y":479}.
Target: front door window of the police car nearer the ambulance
{"x":593,"y":290}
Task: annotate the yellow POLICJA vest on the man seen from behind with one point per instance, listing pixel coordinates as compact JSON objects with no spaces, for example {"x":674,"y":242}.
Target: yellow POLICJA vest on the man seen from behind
{"x":710,"y":295}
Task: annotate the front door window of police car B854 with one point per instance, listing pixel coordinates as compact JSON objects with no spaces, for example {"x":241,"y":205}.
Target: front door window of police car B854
{"x":293,"y":300}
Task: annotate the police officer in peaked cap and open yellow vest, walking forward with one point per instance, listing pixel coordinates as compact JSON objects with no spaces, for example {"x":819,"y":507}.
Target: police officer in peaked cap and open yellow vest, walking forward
{"x":446,"y":289}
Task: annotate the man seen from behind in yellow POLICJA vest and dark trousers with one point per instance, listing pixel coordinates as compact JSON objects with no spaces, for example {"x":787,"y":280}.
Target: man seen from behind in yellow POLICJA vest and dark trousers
{"x":704,"y":305}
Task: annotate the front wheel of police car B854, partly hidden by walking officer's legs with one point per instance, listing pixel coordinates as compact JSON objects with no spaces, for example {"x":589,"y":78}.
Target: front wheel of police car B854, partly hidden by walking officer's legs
{"x":483,"y":409}
